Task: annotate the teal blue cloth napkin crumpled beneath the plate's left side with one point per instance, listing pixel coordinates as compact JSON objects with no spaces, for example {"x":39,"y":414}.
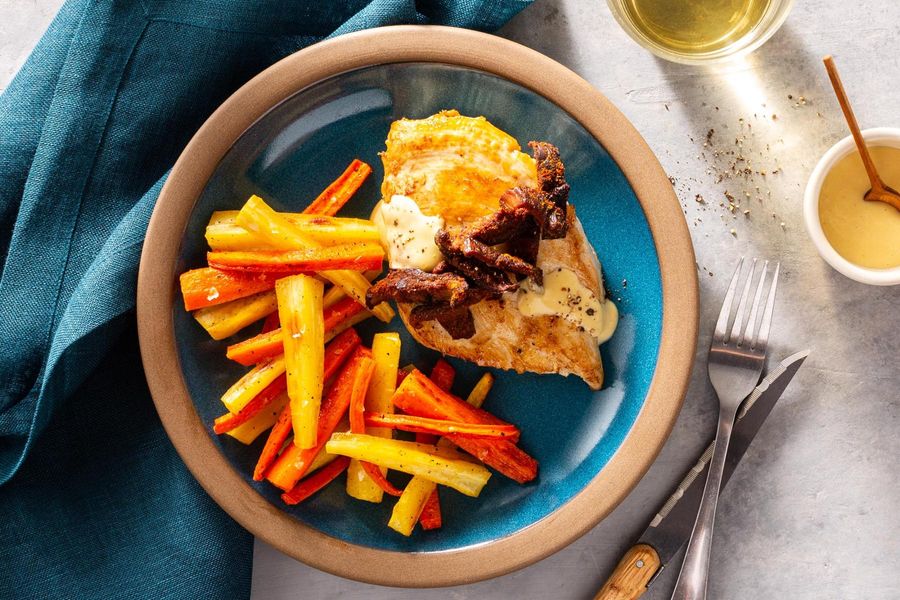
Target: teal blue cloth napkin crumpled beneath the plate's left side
{"x":94,"y":501}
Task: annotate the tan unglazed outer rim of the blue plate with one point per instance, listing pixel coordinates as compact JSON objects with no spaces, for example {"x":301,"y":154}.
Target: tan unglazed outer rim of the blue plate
{"x":157,"y":294}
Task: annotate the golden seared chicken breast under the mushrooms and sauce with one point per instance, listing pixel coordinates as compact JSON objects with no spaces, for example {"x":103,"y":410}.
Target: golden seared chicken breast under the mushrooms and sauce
{"x":458,"y":167}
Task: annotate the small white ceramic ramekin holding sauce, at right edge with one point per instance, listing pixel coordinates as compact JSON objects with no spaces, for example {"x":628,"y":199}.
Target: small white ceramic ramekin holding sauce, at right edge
{"x":878,"y":136}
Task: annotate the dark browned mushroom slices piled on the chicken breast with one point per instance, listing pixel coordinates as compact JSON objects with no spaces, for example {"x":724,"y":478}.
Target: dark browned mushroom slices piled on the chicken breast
{"x":489,"y":258}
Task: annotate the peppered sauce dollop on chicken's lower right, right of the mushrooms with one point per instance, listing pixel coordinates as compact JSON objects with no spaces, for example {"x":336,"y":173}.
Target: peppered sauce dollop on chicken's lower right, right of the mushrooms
{"x":565,"y":296}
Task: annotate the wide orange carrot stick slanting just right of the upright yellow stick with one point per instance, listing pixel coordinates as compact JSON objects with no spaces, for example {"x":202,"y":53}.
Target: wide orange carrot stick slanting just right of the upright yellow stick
{"x":292,"y":464}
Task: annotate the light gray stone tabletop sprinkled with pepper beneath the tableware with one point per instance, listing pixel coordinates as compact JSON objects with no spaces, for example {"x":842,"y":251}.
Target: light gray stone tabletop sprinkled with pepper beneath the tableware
{"x":811,"y":512}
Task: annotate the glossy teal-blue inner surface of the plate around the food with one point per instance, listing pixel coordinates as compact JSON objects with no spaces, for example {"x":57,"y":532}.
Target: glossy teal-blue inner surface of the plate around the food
{"x":300,"y":145}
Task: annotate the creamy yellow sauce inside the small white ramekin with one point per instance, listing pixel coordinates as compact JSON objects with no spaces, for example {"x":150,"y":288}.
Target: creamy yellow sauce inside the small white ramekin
{"x":865,"y":233}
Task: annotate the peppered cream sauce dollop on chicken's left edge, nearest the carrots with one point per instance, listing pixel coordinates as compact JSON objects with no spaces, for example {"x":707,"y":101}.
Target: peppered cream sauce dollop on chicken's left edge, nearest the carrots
{"x":406,"y":234}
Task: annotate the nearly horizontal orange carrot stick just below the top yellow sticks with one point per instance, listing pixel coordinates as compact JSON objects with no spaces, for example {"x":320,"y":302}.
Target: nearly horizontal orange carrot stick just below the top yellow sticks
{"x":351,"y":257}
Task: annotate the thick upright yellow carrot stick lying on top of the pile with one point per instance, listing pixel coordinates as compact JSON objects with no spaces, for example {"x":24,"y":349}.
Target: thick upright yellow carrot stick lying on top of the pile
{"x":303,"y":336}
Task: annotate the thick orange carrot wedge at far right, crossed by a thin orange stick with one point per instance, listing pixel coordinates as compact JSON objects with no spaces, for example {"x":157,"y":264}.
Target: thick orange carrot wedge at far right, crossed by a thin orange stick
{"x":421,"y":397}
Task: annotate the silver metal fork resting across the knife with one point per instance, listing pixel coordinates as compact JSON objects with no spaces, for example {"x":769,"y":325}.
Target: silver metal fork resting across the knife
{"x":736,"y":361}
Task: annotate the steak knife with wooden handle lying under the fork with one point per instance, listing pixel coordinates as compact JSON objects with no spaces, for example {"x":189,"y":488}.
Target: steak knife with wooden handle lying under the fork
{"x":671,"y":527}
